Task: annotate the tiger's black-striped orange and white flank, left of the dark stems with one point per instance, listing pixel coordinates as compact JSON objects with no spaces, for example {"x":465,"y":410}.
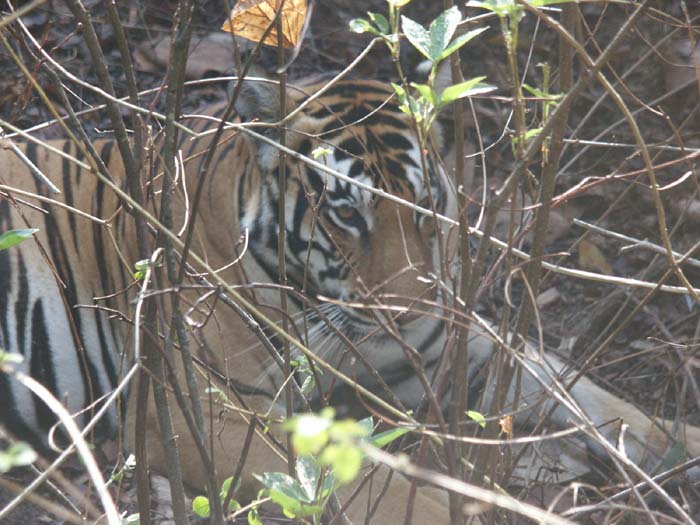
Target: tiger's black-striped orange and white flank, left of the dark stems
{"x":74,"y":350}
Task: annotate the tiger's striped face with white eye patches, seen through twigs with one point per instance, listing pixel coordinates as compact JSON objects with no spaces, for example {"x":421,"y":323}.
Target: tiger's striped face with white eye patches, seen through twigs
{"x":372,"y":263}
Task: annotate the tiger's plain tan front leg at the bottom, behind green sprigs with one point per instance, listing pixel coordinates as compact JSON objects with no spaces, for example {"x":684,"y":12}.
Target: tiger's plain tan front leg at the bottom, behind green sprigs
{"x":363,"y":501}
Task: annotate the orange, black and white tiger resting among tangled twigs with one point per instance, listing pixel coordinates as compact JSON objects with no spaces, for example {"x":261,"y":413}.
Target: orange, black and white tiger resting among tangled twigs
{"x":363,"y":285}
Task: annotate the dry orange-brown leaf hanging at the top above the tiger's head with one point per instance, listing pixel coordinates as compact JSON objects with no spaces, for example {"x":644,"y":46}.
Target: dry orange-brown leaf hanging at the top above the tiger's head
{"x":251,"y":18}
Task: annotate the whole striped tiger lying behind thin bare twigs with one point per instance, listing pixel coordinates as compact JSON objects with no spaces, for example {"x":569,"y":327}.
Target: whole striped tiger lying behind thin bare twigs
{"x":342,"y":243}
